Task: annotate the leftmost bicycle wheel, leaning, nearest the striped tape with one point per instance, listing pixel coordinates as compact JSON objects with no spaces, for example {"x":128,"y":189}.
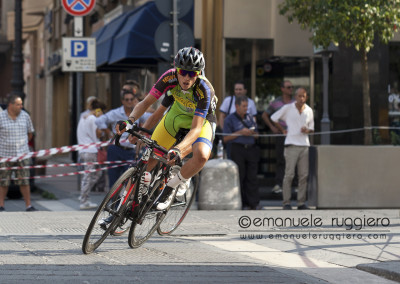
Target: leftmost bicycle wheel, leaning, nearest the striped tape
{"x":112,"y":212}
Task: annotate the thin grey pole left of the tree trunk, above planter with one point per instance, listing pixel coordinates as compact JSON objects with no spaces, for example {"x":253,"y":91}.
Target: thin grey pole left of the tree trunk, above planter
{"x":325,"y":122}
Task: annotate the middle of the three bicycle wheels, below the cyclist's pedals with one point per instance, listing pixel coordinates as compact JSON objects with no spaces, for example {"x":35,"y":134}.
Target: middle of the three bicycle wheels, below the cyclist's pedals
{"x":147,"y":223}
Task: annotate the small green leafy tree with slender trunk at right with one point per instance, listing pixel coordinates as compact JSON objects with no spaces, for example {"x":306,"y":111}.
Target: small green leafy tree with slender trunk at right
{"x":351,"y":22}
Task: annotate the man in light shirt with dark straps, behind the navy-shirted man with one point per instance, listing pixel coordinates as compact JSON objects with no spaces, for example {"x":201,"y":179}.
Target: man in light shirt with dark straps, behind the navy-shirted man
{"x":228,"y":106}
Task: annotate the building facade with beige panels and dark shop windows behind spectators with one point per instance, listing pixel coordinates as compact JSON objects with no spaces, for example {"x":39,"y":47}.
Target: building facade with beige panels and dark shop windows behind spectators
{"x":253,"y":43}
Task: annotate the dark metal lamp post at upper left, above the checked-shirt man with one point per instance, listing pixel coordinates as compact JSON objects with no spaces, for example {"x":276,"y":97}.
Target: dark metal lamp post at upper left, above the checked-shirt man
{"x":17,"y":81}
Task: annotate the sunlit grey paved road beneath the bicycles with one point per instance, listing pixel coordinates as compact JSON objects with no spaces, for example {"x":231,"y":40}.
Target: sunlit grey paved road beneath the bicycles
{"x":266,"y":246}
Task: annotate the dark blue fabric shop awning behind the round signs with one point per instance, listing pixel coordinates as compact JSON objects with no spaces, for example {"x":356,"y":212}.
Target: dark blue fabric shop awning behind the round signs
{"x":128,"y":41}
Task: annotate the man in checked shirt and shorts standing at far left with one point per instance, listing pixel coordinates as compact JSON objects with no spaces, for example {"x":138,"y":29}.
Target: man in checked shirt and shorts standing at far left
{"x":16,"y":129}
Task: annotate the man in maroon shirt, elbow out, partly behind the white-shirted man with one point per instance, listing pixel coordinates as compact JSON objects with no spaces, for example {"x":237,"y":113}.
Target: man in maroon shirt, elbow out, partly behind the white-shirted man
{"x":285,"y":98}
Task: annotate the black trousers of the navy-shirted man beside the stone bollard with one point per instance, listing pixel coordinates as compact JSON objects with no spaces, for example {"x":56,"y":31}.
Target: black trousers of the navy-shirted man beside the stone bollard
{"x":247,"y":160}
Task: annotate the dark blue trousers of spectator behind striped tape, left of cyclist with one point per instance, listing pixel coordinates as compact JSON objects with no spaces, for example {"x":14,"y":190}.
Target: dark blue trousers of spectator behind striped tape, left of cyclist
{"x":115,"y":153}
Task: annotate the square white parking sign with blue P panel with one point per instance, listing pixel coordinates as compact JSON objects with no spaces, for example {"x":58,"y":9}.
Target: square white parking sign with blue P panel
{"x":79,"y":54}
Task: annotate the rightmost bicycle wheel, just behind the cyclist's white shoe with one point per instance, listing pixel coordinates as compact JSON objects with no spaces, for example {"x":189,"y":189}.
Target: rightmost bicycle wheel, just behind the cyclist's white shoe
{"x":179,"y":209}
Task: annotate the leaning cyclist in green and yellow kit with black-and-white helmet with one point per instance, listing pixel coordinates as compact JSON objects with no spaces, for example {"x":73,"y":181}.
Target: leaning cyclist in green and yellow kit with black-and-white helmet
{"x":193,"y":103}
